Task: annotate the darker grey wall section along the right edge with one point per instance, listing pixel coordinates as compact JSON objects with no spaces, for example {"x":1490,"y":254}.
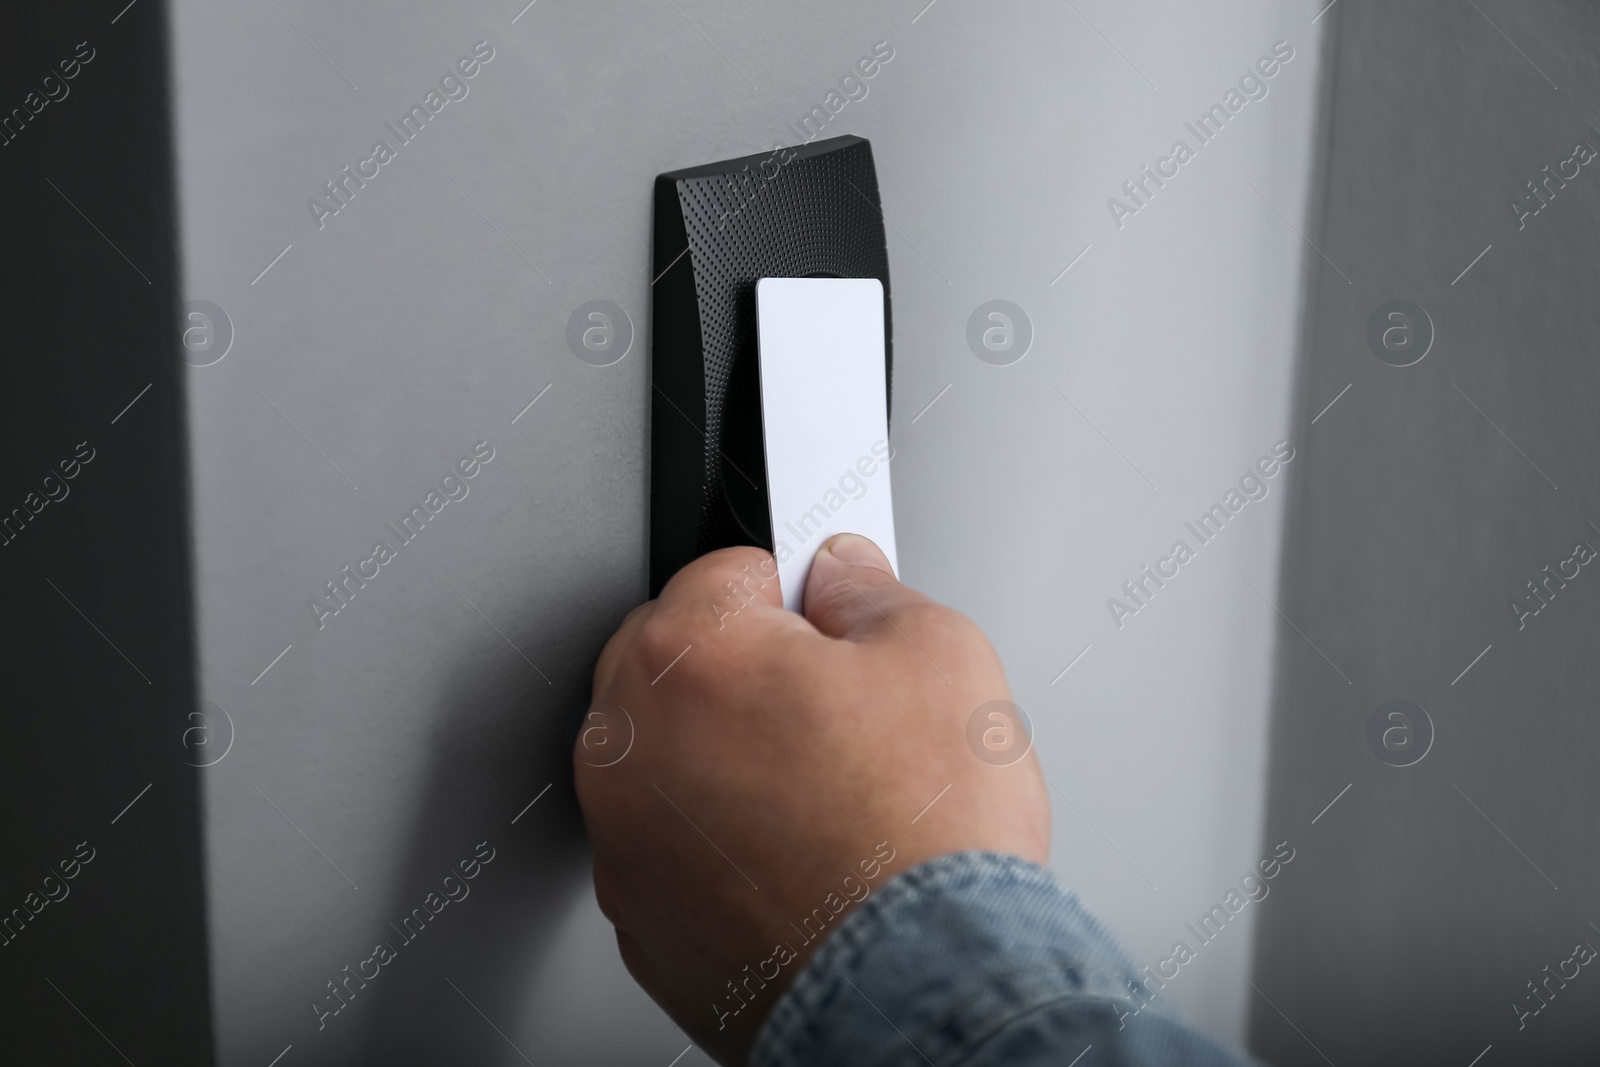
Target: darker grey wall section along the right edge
{"x":1426,"y":900}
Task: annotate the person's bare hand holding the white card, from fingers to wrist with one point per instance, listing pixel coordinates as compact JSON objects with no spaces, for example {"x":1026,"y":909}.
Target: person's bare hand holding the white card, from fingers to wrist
{"x":750,"y":775}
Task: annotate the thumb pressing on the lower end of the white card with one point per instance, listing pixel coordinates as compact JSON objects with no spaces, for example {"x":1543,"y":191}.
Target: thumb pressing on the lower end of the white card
{"x":852,"y":591}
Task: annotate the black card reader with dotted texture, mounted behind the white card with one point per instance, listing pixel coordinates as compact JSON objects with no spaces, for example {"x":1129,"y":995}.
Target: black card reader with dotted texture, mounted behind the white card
{"x":745,"y":220}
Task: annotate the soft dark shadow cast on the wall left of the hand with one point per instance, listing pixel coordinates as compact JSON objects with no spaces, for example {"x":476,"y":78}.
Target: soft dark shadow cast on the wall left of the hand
{"x":502,"y":738}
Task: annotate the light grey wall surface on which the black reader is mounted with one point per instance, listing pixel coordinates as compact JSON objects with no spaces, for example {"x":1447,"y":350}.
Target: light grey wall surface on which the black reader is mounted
{"x":375,"y":348}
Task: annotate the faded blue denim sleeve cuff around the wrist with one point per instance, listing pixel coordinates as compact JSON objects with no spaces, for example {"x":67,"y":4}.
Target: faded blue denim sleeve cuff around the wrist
{"x":977,"y":961}
